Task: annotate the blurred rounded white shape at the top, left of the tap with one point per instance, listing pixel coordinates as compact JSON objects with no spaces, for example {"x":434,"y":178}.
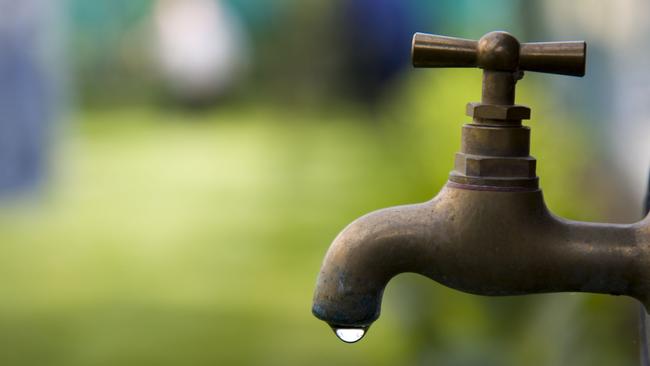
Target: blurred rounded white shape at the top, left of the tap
{"x":201,"y":46}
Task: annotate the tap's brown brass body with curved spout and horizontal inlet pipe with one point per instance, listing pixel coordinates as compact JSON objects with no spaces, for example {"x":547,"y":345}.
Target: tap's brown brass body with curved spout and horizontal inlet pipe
{"x":480,"y":241}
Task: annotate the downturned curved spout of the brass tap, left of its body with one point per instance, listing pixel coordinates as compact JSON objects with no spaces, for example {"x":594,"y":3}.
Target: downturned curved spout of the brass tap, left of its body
{"x":366,"y":255}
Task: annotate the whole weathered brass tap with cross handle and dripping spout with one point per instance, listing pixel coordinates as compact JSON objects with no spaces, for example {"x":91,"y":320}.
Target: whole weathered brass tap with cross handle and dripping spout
{"x":488,"y":231}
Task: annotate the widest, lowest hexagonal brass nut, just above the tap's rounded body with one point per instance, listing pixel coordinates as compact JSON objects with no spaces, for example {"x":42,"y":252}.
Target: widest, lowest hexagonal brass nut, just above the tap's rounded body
{"x":490,"y":166}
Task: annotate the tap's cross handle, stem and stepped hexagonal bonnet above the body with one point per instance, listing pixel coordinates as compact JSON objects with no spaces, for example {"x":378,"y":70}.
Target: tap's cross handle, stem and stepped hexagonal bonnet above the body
{"x":495,"y":146}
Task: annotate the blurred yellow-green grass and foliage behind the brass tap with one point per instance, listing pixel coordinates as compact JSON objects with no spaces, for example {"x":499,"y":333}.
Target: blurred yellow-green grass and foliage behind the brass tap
{"x":170,"y":238}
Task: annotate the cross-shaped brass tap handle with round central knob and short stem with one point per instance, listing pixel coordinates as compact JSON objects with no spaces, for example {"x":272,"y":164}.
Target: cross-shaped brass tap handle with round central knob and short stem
{"x":502,"y":58}
